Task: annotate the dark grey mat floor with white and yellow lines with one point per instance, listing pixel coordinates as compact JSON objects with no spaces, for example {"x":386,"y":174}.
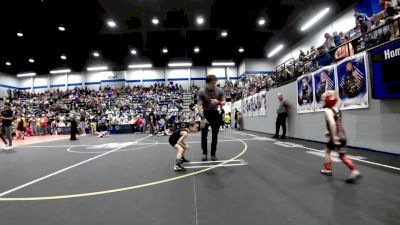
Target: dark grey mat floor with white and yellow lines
{"x":128,"y":179}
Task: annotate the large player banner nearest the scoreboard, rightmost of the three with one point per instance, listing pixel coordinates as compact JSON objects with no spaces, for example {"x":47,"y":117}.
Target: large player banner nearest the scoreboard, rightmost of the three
{"x":352,"y":82}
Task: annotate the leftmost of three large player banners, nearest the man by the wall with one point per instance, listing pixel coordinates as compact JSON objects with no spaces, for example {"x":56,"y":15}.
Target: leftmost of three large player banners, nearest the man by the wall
{"x":305,"y":94}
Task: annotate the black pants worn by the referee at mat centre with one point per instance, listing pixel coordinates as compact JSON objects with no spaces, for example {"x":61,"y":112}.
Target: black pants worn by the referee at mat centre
{"x":214,"y":120}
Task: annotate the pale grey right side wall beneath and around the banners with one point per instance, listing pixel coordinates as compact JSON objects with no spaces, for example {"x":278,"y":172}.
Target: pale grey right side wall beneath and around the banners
{"x":376,"y":127}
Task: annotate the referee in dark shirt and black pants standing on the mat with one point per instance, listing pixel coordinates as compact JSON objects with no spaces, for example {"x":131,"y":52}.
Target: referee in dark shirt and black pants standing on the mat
{"x":209,"y":99}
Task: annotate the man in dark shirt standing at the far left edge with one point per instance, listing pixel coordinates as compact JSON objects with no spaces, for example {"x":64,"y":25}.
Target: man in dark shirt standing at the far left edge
{"x":7,"y":117}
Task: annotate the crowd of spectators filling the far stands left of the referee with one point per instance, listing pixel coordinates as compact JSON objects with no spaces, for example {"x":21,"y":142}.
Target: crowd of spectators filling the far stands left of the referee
{"x":44,"y":113}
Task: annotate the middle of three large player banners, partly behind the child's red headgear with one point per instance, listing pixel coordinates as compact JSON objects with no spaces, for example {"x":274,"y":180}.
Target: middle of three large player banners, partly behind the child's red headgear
{"x":324,"y":80}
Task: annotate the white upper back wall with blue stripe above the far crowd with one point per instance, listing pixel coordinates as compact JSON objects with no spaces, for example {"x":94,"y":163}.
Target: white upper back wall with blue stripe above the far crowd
{"x":93,"y":80}
